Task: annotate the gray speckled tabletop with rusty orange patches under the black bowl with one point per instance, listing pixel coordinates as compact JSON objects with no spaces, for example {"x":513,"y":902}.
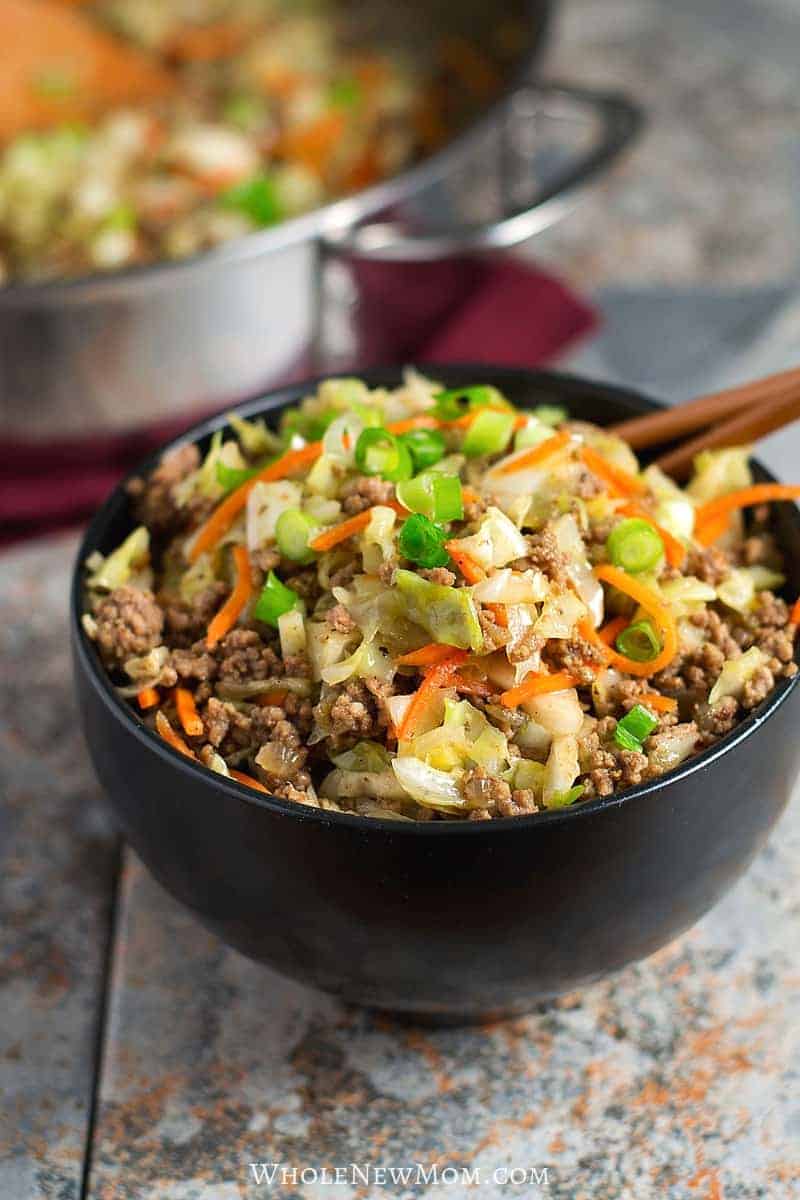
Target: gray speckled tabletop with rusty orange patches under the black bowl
{"x":679,"y":1077}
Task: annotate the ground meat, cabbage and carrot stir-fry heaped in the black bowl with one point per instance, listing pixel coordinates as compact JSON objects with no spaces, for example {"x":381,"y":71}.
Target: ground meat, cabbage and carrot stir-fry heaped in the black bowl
{"x":424,"y":604}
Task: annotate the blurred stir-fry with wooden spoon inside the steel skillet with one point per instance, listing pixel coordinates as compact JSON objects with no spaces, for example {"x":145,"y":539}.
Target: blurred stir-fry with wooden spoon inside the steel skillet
{"x":134,"y":131}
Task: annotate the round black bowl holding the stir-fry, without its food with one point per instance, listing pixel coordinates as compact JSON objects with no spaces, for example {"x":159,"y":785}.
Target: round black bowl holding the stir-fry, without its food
{"x":444,"y":921}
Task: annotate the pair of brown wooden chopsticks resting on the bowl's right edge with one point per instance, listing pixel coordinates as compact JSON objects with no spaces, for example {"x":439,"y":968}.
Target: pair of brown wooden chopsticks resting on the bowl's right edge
{"x":730,"y":418}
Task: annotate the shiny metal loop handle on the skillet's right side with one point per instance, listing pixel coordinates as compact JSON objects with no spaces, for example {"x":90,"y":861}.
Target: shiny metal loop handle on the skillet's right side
{"x":525,"y":181}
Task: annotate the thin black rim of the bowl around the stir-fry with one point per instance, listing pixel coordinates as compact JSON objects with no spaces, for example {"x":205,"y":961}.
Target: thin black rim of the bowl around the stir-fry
{"x":380,"y":376}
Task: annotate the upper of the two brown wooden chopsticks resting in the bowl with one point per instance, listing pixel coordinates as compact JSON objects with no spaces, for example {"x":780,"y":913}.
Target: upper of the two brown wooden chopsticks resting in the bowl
{"x":676,"y":423}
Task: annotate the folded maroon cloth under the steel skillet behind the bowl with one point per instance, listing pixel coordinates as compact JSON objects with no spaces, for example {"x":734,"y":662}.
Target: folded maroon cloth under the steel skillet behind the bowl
{"x":478,"y":311}
